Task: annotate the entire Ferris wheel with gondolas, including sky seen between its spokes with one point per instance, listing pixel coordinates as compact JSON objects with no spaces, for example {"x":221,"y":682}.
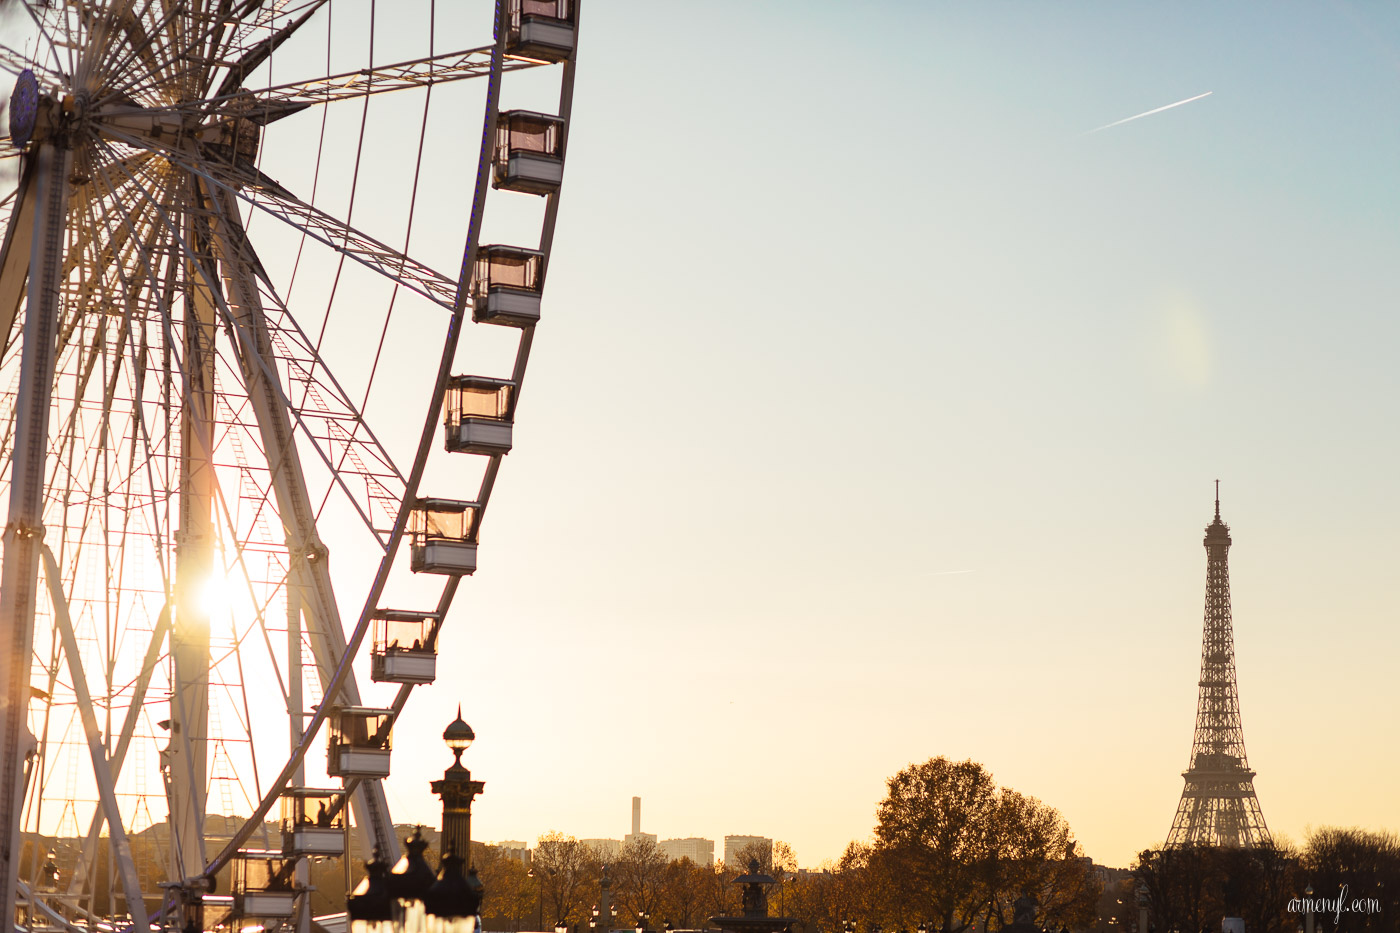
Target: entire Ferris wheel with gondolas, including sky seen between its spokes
{"x":246,"y":452}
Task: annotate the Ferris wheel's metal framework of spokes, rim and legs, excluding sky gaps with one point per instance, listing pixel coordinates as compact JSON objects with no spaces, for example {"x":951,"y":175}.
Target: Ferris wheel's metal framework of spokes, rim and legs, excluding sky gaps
{"x":115,"y":90}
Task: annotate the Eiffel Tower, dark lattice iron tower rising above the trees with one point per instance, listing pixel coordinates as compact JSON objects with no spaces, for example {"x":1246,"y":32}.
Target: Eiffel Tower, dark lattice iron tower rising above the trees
{"x":1219,"y":806}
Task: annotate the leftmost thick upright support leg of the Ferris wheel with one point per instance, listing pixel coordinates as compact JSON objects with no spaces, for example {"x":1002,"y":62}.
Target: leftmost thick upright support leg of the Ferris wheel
{"x":24,"y":529}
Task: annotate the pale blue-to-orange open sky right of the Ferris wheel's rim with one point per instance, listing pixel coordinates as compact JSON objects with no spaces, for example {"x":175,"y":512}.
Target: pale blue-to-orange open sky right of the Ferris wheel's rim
{"x":877,"y":408}
